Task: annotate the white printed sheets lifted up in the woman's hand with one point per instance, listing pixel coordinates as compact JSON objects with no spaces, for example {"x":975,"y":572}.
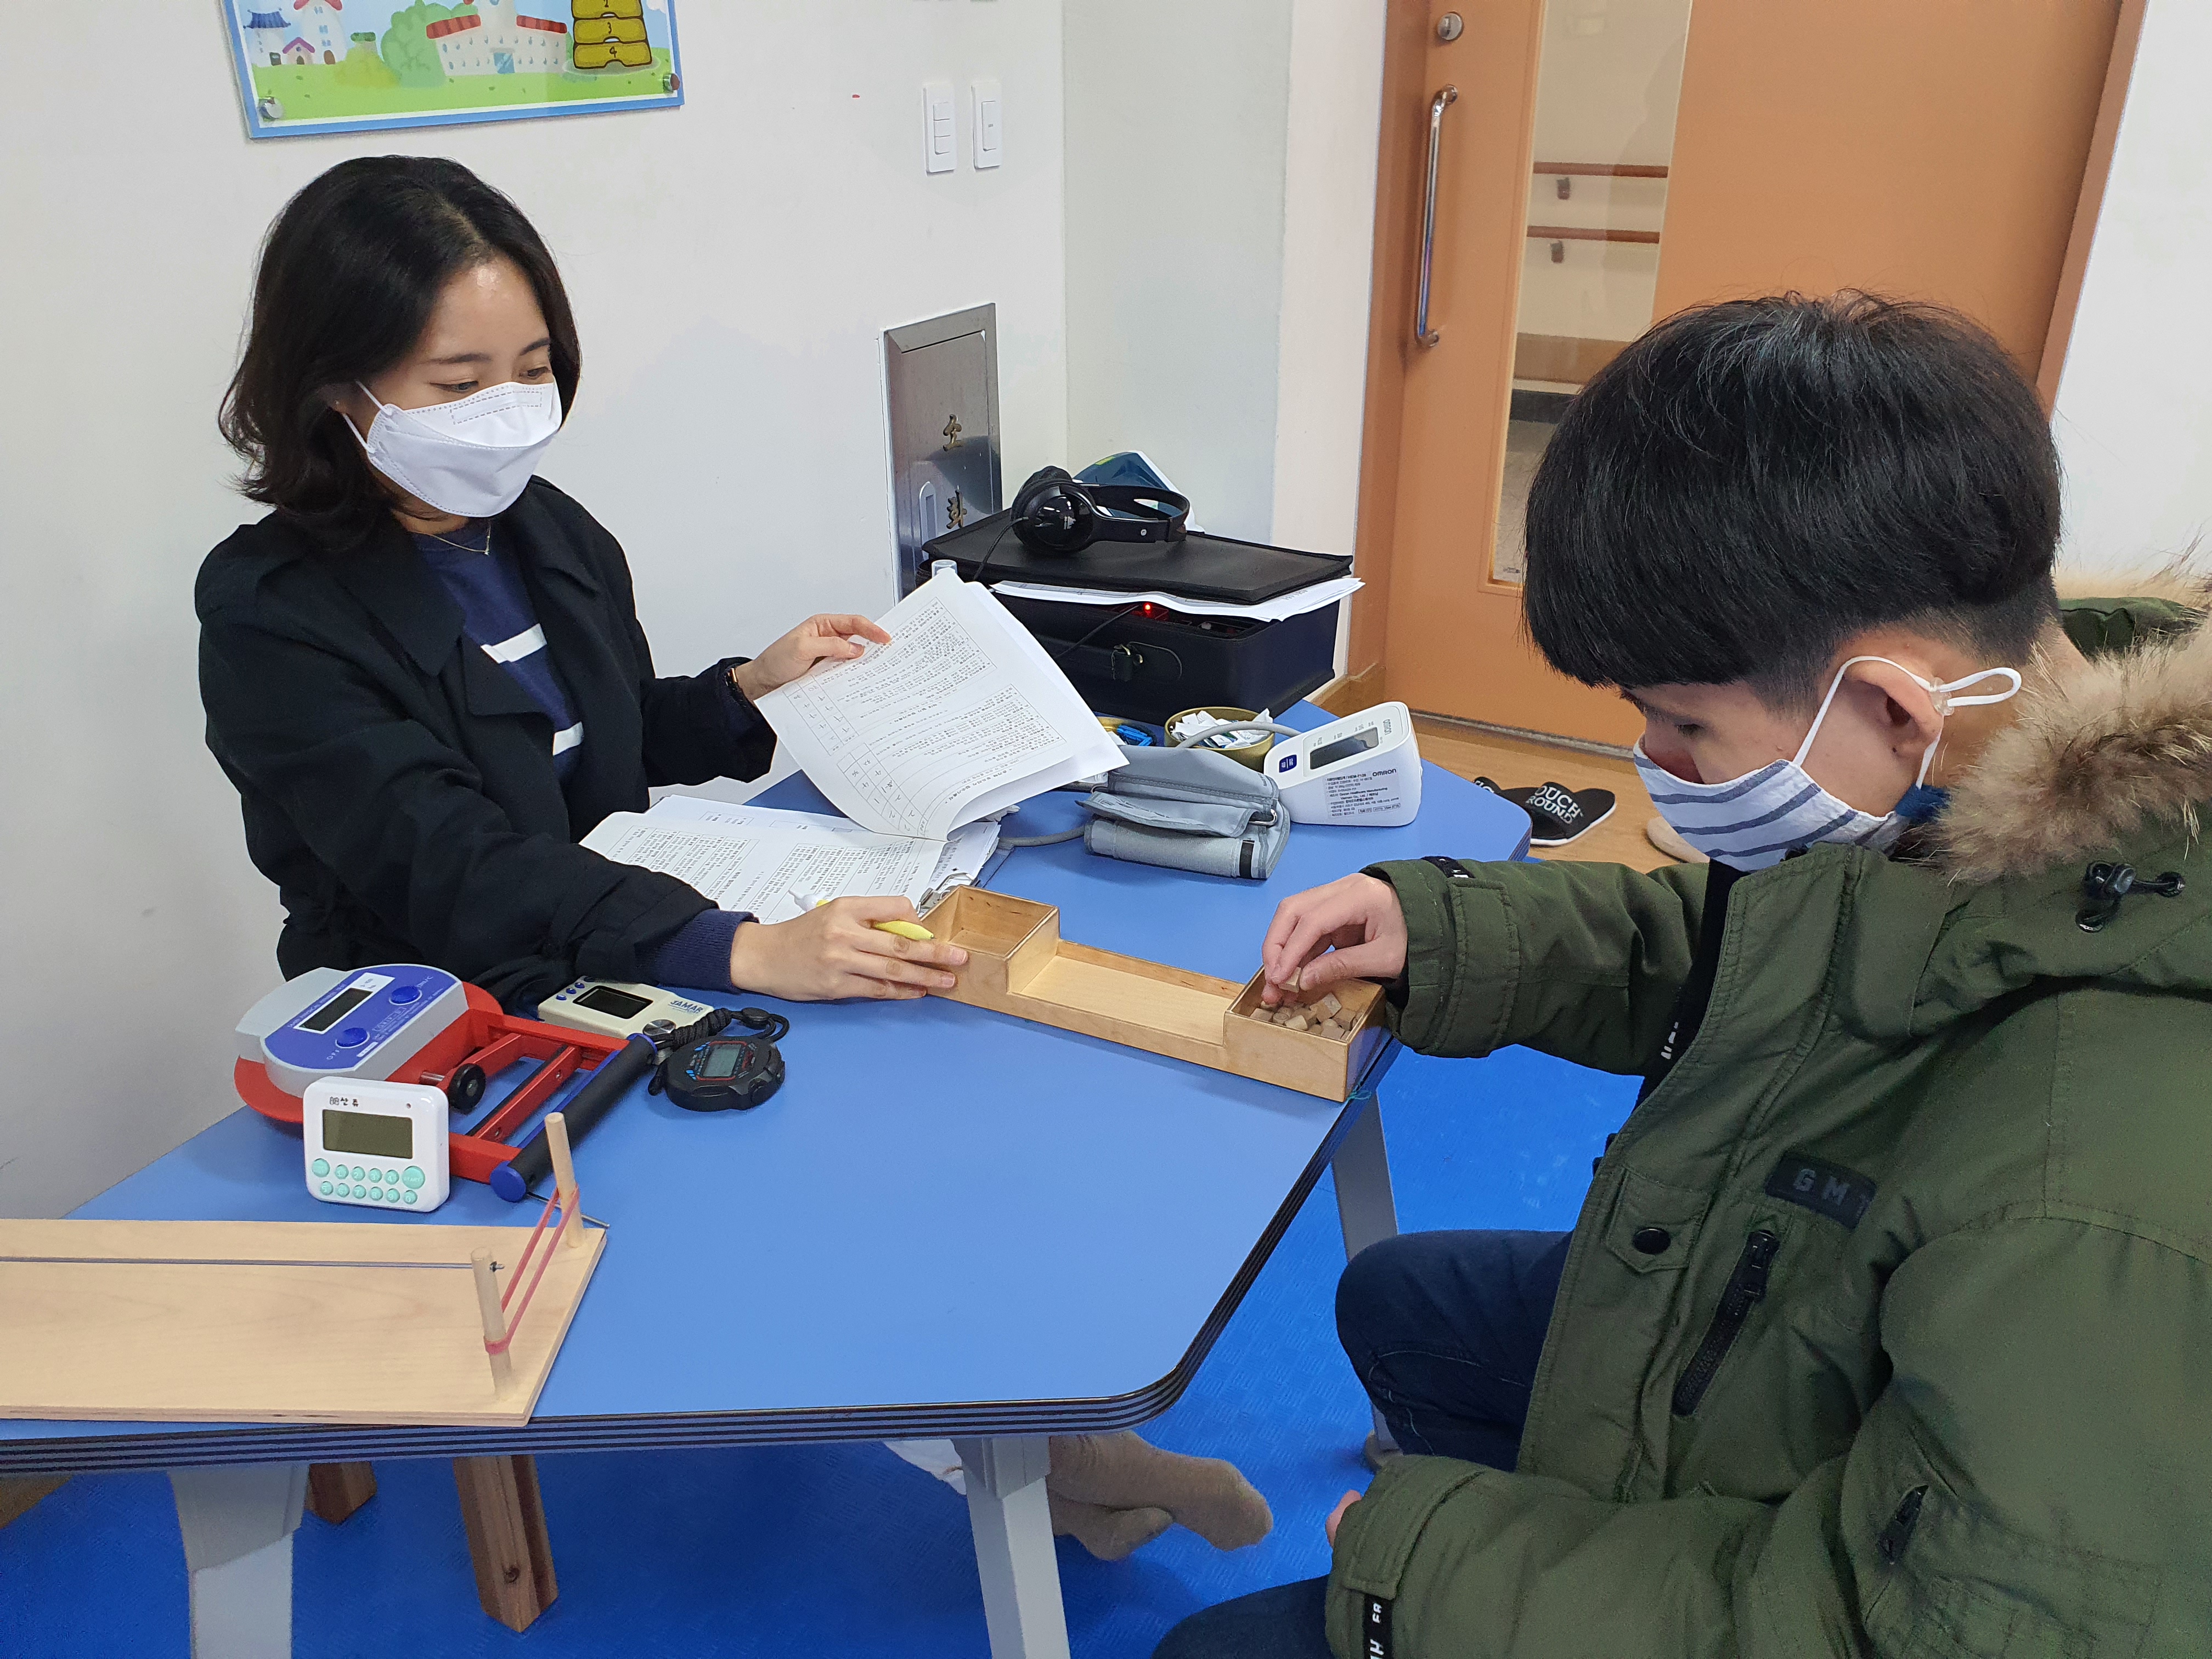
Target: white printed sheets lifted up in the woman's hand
{"x":959,"y":718}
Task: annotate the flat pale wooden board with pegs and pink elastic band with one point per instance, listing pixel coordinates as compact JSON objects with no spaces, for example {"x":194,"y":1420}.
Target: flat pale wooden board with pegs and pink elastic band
{"x":271,"y":1322}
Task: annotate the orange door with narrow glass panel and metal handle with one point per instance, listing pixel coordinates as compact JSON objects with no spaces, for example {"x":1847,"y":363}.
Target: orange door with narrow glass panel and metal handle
{"x":1888,"y":145}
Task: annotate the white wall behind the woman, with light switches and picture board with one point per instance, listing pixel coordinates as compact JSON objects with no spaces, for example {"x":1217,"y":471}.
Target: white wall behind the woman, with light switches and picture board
{"x":731,"y":264}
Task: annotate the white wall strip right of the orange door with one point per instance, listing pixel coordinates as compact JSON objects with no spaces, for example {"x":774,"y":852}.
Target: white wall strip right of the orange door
{"x":2136,"y":397}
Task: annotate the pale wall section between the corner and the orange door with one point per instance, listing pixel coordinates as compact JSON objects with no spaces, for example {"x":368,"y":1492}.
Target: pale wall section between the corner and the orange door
{"x":1222,"y":169}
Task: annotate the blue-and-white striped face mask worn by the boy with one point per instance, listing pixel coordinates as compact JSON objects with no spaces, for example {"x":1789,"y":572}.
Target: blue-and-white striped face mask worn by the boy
{"x":1757,"y":820}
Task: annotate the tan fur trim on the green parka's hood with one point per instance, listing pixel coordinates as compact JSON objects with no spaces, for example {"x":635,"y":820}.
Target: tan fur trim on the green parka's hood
{"x":2096,"y":755}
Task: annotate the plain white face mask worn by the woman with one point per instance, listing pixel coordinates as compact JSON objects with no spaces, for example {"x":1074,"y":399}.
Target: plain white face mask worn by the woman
{"x":470,"y":457}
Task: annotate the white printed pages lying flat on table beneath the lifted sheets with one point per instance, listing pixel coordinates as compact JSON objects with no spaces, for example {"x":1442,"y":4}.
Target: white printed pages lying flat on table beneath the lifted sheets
{"x":760,"y":864}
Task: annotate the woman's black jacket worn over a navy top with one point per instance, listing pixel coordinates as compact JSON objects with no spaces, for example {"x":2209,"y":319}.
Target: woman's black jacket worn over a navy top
{"x":399,"y":784}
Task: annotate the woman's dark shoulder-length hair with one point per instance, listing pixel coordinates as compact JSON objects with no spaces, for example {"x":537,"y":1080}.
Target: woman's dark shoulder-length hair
{"x":348,"y":280}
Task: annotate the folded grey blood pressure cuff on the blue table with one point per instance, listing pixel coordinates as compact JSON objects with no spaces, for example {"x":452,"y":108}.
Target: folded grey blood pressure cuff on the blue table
{"x":1189,"y":811}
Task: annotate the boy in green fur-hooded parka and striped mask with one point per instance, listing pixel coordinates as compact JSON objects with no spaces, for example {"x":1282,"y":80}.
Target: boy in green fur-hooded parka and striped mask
{"x":1888,"y":1322}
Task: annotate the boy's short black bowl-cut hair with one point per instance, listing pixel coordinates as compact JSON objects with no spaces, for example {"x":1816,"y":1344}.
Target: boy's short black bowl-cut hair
{"x":1753,"y":483}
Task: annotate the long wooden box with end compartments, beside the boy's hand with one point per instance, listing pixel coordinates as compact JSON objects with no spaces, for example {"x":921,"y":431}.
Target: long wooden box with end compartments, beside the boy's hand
{"x":1021,"y":966}
